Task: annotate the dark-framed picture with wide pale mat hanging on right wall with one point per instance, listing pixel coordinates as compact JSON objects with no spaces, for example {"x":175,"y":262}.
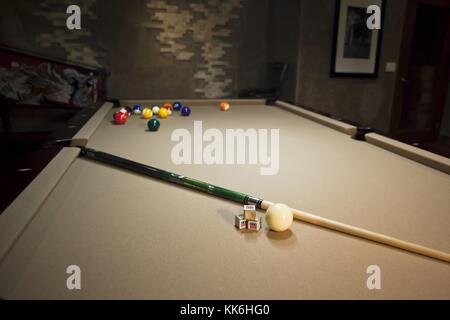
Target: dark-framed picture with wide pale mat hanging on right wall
{"x":356,"y":48}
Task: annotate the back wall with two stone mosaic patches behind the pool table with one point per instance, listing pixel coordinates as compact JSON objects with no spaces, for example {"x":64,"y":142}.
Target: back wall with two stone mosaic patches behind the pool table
{"x":203,"y":49}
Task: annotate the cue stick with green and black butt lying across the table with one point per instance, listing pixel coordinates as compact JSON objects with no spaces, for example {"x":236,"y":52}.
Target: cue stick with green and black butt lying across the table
{"x":259,"y":203}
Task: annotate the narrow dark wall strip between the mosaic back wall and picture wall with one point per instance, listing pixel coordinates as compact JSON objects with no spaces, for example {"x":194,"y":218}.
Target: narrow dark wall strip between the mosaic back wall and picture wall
{"x":283,"y":39}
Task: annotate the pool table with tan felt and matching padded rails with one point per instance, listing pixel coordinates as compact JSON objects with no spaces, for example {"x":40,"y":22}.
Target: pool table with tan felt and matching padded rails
{"x":134,"y":237}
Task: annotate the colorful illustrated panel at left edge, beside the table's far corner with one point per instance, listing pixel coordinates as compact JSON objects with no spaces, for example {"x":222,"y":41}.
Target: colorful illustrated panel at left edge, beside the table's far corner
{"x":28,"y":80}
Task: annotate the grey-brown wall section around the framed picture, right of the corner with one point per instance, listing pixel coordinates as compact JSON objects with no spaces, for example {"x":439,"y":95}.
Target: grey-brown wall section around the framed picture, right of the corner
{"x":366,"y":101}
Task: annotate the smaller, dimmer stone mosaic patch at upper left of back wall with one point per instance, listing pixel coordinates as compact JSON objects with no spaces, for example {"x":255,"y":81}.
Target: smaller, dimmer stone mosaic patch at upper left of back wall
{"x":75,"y":43}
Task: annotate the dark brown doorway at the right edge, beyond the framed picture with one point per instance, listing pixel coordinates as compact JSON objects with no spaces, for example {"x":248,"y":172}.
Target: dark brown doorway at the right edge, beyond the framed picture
{"x":423,"y":75}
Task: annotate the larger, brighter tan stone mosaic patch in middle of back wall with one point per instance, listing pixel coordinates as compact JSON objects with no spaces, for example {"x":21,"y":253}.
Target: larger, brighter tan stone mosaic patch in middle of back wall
{"x":201,"y":27}
